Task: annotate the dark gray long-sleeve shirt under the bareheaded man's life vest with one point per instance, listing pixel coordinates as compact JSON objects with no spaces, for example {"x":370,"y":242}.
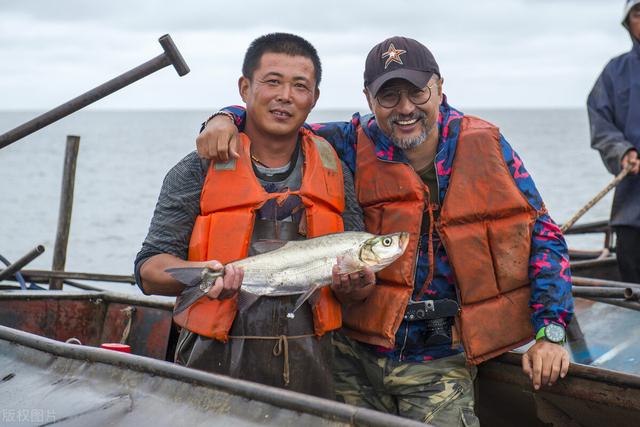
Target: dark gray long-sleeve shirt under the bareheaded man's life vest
{"x":179,"y":204}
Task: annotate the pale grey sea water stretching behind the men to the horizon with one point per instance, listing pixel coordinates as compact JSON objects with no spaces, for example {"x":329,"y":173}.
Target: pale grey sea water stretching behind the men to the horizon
{"x":124,"y":156}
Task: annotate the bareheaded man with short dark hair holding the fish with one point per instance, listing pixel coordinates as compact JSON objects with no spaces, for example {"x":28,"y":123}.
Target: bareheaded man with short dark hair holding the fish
{"x":281,"y":73}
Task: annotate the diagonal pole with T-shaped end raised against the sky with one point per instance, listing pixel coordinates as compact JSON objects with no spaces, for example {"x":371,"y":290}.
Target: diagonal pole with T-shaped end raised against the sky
{"x":171,"y":56}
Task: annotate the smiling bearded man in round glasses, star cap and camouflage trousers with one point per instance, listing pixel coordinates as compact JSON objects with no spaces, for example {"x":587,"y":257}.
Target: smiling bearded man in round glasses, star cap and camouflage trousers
{"x":500,"y":275}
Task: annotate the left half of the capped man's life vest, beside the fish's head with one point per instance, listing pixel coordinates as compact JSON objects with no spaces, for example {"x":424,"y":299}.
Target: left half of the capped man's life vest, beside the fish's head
{"x":393,"y":198}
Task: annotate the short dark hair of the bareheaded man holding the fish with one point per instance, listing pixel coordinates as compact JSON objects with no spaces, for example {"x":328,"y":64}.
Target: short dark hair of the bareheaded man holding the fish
{"x":289,"y":44}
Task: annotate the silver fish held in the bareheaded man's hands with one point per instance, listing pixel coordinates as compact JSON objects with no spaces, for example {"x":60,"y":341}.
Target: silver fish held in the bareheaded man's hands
{"x":298,"y":267}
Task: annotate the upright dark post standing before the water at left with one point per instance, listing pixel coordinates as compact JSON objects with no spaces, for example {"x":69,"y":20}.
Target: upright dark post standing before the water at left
{"x":66,"y":207}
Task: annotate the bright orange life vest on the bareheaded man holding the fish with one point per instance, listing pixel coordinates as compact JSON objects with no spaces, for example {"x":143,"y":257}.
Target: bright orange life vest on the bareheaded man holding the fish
{"x":230,"y":196}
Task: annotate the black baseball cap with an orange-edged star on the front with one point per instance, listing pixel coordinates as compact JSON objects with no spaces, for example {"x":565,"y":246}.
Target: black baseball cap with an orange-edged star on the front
{"x":399,"y":58}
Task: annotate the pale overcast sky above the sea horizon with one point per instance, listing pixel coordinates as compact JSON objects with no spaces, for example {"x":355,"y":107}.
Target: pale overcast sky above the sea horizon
{"x":492,"y":53}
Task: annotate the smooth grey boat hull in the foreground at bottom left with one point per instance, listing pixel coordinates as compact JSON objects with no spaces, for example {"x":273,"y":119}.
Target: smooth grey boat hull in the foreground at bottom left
{"x":45,"y":381}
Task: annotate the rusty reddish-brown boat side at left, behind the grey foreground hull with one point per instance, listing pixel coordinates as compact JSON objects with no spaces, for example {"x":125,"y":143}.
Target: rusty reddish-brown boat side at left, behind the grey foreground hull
{"x":93,"y":318}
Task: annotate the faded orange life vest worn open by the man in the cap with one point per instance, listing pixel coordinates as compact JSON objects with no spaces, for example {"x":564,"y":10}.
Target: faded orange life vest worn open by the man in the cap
{"x":485,"y":224}
